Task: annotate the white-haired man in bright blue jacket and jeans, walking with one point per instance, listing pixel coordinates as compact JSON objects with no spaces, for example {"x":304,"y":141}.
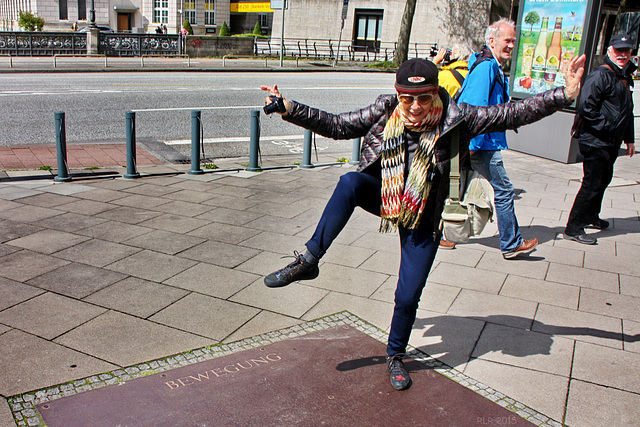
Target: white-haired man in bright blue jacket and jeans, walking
{"x":486,"y":84}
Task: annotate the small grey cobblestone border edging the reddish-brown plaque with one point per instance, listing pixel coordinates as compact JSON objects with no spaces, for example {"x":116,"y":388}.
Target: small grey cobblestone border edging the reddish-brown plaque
{"x":25,"y":413}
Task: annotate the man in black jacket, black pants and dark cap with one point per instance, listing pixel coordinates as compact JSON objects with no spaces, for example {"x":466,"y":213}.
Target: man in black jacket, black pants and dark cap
{"x":605,"y":120}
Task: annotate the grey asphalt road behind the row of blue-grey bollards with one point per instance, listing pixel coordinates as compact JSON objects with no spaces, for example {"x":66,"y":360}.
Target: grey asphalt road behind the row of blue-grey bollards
{"x":95,"y":105}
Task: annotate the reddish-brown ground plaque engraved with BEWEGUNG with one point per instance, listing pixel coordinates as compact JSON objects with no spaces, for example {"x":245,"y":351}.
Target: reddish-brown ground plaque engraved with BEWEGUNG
{"x":335,"y":377}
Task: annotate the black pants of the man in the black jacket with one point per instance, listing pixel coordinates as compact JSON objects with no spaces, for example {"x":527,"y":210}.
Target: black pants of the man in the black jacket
{"x":598,"y":172}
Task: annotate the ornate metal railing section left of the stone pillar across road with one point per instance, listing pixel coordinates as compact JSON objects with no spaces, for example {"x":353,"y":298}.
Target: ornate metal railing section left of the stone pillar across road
{"x":38,"y":43}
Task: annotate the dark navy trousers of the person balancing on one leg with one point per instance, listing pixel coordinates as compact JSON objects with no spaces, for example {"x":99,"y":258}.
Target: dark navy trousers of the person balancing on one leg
{"x":417,"y":249}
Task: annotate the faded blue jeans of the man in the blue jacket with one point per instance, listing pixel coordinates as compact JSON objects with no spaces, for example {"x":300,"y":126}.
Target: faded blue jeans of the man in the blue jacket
{"x":490,"y":165}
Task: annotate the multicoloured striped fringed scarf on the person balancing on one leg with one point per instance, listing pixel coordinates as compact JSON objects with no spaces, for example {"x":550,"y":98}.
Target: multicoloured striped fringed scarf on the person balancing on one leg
{"x":402,"y":204}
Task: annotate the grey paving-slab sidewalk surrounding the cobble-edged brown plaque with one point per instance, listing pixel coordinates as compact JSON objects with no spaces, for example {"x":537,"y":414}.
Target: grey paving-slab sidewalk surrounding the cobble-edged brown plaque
{"x":104,"y":273}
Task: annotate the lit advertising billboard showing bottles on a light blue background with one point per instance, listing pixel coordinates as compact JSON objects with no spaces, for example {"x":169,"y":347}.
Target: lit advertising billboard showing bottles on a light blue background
{"x":551,"y":33}
